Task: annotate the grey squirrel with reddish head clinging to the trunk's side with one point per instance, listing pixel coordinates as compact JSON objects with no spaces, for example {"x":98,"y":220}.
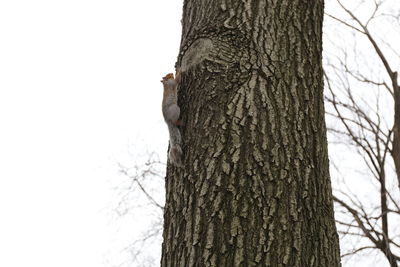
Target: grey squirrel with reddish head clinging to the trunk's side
{"x":171,"y":113}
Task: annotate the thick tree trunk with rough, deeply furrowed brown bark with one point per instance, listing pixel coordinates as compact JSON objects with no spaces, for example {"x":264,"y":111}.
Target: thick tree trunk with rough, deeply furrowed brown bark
{"x":255,"y":189}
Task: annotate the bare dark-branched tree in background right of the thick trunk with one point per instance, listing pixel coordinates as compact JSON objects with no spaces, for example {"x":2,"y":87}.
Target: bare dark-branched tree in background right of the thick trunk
{"x":363,"y":97}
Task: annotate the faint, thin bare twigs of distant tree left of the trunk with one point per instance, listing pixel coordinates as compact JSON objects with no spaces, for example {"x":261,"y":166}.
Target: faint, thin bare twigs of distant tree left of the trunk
{"x":142,"y":189}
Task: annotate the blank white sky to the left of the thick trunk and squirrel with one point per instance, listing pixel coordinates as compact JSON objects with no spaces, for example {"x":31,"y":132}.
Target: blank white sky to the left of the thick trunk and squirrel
{"x":79,"y":88}
